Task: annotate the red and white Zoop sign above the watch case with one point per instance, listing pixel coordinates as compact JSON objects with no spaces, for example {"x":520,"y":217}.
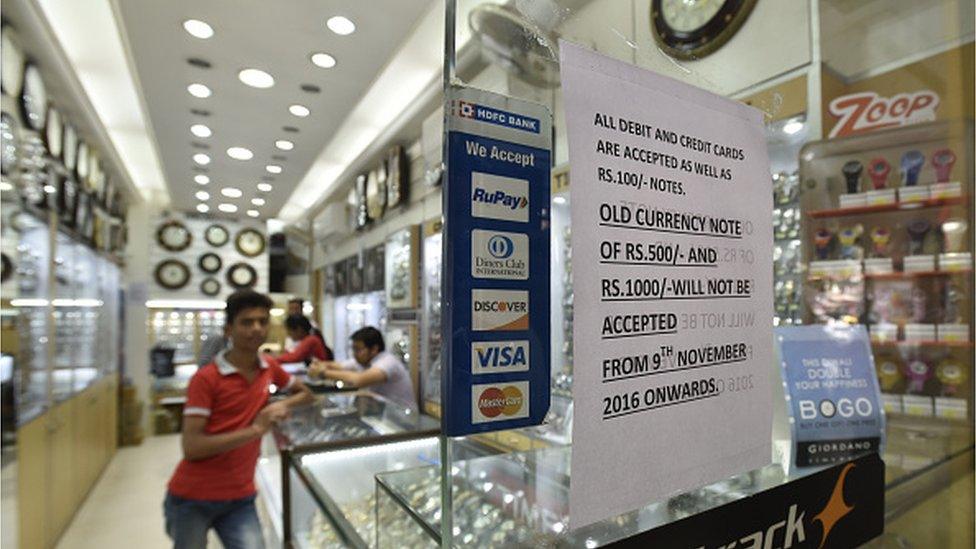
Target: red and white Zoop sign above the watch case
{"x":867,"y":111}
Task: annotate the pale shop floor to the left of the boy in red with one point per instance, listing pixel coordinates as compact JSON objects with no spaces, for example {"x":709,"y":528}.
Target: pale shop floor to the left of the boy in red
{"x":125,"y":507}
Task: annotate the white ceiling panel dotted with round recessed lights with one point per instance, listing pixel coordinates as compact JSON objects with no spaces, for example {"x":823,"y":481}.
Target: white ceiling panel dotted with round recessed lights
{"x":242,"y":95}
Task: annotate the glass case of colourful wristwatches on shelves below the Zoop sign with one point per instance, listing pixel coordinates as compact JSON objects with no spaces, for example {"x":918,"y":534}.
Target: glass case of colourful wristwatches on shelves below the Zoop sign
{"x":898,"y":257}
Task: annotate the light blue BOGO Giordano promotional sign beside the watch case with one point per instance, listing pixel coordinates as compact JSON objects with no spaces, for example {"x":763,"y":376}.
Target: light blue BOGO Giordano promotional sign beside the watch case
{"x":832,"y":393}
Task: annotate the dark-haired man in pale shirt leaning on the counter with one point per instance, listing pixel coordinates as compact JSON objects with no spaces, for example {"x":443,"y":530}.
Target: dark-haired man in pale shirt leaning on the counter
{"x":373,"y":367}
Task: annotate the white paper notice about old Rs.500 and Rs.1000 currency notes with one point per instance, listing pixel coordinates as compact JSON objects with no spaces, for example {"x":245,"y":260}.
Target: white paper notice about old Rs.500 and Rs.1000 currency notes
{"x":672,"y":247}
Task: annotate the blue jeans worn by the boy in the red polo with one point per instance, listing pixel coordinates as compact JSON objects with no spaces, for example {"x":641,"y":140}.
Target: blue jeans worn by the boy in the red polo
{"x":236,"y":522}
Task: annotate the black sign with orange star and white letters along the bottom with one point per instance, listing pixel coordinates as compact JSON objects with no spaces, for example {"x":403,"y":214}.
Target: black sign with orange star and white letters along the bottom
{"x":842,"y":506}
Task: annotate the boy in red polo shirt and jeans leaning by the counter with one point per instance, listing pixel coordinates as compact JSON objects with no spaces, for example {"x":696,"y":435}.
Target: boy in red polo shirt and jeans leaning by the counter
{"x":225,"y":416}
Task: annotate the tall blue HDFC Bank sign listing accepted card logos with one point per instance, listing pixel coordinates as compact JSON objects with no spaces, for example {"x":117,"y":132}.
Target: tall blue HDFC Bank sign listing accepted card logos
{"x":495,"y":309}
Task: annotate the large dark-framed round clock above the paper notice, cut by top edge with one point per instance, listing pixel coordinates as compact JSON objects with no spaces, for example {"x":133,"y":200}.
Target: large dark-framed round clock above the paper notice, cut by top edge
{"x":692,"y":29}
